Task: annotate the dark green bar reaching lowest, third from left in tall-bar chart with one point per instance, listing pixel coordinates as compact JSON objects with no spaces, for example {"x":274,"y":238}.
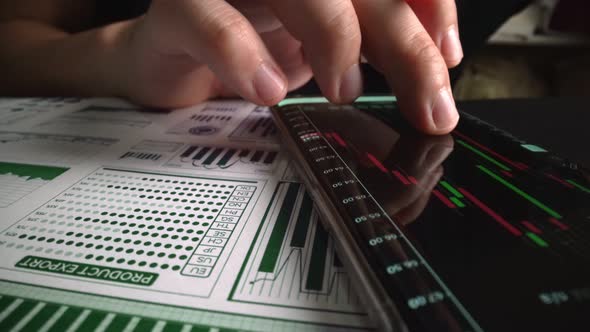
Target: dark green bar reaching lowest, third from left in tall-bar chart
{"x":317,"y":263}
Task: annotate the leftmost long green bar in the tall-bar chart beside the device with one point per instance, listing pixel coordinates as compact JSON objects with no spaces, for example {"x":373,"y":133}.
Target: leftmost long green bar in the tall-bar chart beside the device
{"x":273,"y":248}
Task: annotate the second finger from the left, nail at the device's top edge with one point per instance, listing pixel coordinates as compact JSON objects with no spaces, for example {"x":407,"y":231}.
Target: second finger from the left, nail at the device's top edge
{"x":331,"y":38}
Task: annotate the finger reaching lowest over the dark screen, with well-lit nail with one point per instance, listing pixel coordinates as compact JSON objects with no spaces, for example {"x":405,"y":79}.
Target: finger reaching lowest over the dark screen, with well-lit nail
{"x":398,"y":45}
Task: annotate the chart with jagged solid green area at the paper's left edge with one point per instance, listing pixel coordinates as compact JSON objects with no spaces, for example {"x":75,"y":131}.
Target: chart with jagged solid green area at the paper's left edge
{"x":19,"y":180}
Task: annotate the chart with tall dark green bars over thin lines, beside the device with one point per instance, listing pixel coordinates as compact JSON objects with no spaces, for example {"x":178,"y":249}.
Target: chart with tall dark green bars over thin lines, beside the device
{"x":292,"y":261}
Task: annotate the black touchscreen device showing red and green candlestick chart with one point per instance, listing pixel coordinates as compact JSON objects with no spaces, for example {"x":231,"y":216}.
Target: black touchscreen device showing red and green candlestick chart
{"x":472,"y":231}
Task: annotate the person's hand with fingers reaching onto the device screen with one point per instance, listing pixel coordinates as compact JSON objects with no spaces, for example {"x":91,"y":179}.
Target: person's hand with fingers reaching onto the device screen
{"x":182,"y":52}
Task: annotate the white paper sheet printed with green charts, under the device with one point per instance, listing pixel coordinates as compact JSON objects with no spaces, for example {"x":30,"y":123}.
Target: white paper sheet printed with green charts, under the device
{"x":117,"y":218}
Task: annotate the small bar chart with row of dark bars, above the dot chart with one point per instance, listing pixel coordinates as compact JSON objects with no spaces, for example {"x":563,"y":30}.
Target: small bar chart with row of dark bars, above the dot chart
{"x":229,"y":159}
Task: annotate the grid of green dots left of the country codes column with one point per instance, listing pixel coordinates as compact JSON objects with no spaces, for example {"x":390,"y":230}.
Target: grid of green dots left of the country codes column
{"x":124,"y":218}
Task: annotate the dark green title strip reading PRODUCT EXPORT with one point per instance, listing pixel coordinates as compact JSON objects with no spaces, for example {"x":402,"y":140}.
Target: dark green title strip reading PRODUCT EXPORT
{"x":87,"y":271}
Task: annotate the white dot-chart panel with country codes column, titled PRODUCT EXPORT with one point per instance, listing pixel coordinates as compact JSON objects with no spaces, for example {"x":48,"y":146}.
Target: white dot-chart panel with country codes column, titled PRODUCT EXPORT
{"x":176,"y":229}
